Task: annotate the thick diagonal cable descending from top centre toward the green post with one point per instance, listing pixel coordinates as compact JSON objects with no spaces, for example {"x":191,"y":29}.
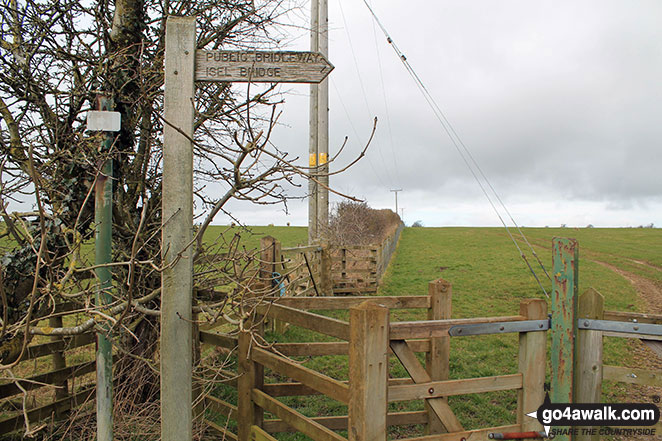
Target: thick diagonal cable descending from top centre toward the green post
{"x":459,"y":146}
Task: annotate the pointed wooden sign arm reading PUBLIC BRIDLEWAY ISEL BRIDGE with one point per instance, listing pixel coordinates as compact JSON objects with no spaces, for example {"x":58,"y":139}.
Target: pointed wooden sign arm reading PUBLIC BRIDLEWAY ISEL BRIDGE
{"x":261,"y":66}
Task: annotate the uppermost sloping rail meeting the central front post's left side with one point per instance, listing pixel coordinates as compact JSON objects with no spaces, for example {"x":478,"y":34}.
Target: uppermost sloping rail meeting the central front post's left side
{"x":314,"y":322}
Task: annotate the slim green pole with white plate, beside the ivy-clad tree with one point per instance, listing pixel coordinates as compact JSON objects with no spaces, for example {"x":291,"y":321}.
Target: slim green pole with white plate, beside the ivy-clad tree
{"x":103,"y":217}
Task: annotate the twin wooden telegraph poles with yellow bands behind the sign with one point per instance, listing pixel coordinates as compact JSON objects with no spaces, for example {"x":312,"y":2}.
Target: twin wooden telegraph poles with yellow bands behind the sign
{"x":318,"y":147}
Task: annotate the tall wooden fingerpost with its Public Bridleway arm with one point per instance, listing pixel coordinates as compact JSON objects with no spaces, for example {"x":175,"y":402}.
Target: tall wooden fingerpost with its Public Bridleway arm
{"x":183,"y":66}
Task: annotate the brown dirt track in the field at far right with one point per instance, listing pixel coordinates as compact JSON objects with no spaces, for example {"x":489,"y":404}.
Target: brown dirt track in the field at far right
{"x":643,"y":357}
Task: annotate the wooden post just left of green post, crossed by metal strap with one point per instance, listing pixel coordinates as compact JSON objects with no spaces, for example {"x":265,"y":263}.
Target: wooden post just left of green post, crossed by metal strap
{"x":532,"y":363}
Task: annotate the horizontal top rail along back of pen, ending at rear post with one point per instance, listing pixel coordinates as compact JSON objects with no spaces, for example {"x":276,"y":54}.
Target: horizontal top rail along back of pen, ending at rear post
{"x":334,"y":303}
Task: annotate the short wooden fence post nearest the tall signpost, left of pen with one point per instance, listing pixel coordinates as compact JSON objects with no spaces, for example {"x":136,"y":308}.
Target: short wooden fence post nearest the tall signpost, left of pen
{"x":250,"y":377}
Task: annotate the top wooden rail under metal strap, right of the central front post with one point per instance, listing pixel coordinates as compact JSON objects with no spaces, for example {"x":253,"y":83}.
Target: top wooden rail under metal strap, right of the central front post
{"x":439,"y":328}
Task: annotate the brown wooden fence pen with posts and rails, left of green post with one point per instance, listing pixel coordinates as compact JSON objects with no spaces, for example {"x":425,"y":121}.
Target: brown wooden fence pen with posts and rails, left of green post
{"x":369,"y":339}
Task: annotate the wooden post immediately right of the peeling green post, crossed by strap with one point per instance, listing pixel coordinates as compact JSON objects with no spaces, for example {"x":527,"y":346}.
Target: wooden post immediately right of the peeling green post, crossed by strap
{"x":588,"y":367}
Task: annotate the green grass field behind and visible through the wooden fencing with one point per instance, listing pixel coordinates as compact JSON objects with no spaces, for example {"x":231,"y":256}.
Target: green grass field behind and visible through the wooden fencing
{"x":489,"y":279}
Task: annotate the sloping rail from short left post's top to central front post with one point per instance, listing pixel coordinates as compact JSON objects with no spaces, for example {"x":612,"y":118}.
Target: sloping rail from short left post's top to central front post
{"x":326,"y":385}
